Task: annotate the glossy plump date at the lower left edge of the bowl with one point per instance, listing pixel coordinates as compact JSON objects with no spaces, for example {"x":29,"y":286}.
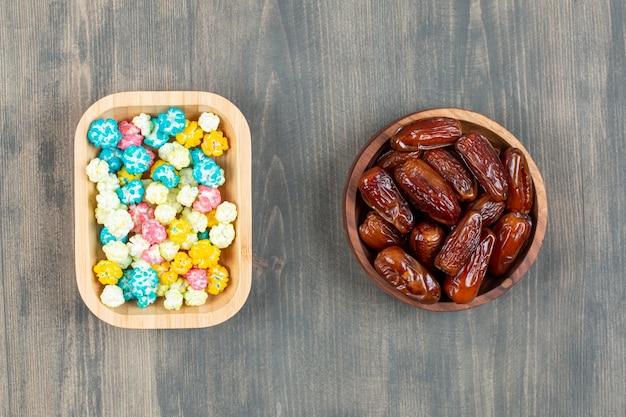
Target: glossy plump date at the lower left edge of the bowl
{"x":407,"y":275}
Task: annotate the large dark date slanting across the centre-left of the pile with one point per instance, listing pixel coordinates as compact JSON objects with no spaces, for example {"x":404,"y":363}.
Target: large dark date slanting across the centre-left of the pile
{"x":428,"y":191}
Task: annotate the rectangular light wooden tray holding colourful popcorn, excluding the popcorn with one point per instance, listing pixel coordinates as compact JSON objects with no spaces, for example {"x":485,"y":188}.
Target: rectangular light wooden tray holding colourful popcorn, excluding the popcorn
{"x":237,"y":189}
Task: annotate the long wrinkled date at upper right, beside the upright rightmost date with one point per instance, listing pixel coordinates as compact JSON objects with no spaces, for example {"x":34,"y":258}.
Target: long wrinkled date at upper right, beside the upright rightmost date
{"x":482,"y":160}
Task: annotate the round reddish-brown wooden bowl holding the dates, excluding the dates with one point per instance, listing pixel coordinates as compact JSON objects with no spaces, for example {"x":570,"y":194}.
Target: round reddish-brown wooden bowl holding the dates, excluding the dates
{"x":354,"y":208}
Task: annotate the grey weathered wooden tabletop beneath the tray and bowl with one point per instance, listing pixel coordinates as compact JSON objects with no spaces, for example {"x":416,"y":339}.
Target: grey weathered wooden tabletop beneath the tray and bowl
{"x":315,"y":80}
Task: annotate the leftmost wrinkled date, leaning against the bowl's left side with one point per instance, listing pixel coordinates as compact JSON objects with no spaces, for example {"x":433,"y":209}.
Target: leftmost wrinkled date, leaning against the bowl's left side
{"x":380,"y":192}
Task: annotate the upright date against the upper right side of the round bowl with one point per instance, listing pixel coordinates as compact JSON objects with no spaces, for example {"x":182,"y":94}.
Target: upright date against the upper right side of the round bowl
{"x":521,"y":188}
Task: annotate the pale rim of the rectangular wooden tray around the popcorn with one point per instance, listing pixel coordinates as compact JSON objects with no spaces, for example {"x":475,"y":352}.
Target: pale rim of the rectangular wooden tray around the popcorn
{"x":191,"y":317}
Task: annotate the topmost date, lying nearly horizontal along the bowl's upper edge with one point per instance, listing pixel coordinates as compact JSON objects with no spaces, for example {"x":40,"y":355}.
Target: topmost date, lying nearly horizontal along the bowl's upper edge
{"x":425,"y":134}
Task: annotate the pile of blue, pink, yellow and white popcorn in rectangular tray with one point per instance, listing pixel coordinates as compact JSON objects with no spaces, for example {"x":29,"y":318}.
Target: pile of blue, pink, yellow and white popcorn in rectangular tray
{"x":163,"y":220}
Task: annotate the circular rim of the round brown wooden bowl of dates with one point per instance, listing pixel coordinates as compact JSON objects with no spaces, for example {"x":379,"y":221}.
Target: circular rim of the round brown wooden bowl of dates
{"x":368,"y":154}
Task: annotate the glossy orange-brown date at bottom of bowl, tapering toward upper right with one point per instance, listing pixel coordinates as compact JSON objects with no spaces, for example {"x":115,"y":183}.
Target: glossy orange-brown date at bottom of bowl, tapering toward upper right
{"x":464,"y":286}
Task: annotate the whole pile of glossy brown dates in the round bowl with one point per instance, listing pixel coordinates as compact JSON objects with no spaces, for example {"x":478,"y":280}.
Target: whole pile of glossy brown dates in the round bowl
{"x":448,"y":210}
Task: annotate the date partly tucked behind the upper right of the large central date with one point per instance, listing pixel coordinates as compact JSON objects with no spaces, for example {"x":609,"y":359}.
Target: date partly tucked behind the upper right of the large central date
{"x":447,"y":164}
